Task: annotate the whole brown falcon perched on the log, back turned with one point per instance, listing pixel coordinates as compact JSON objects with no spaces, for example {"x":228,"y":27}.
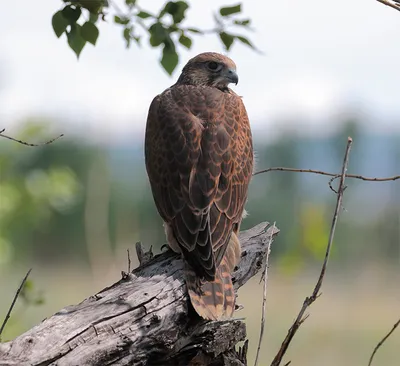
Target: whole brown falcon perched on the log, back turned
{"x":199,"y":160}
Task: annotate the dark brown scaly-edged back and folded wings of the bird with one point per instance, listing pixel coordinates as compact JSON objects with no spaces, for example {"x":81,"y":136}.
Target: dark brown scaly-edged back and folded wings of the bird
{"x":199,"y":159}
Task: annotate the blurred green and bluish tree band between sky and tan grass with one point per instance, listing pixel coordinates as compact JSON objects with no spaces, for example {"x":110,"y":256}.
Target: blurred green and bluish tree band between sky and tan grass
{"x":75,"y":202}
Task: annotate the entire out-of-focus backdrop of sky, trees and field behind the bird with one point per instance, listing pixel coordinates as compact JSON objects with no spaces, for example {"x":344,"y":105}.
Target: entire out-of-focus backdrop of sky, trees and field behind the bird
{"x":71,"y":209}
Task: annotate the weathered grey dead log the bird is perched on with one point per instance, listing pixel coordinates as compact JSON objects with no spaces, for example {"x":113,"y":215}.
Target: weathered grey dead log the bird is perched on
{"x":143,"y":319}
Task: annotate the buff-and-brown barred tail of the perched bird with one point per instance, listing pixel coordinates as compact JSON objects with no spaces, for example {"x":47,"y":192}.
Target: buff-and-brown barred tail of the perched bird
{"x":215,"y":300}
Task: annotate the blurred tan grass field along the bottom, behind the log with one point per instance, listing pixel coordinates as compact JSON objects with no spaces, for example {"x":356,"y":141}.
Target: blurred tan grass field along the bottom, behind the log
{"x":356,"y":310}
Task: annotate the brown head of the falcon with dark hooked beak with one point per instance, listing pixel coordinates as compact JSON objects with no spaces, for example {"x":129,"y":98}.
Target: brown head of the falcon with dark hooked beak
{"x":209,"y":69}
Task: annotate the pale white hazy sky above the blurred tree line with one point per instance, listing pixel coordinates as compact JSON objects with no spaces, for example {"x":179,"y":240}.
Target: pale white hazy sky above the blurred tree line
{"x":319,"y":58}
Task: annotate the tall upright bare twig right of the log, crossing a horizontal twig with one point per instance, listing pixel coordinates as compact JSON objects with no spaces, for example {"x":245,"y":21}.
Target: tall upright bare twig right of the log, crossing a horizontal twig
{"x":309,"y":300}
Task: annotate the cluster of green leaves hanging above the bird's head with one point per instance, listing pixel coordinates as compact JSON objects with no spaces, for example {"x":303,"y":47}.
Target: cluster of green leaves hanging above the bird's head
{"x":78,"y":19}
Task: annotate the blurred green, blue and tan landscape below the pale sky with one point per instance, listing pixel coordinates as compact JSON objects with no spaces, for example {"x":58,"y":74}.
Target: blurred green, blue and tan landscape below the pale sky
{"x":71,"y":210}
